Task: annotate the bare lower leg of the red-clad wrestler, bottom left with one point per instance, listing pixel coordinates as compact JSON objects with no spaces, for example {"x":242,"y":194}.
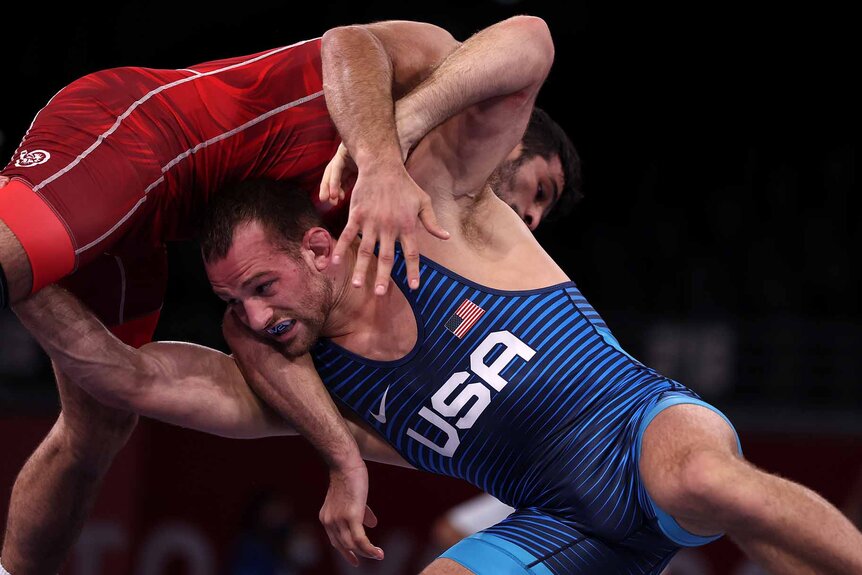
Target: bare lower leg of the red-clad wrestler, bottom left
{"x":56,"y":488}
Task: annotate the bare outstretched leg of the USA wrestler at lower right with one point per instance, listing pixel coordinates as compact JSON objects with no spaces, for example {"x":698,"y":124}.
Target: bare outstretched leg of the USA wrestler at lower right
{"x":691,"y":469}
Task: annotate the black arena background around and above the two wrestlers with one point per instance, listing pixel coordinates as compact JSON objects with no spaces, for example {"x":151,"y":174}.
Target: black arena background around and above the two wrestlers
{"x":720,"y":147}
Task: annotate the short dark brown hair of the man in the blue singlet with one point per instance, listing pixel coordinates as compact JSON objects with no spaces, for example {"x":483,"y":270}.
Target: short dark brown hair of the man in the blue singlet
{"x":283,"y":209}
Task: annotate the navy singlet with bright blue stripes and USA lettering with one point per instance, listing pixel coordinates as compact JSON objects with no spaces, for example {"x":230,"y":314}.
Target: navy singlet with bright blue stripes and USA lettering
{"x":527,"y":395}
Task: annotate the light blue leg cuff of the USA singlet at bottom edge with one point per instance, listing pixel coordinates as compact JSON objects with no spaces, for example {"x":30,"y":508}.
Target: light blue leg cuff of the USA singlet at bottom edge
{"x":485,"y":554}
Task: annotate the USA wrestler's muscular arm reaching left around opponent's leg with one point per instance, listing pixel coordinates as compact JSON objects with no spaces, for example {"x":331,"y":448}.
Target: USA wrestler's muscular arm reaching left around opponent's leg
{"x":179,"y":383}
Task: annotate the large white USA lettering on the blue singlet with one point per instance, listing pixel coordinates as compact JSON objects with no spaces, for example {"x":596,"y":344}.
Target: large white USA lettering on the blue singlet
{"x":490,"y":375}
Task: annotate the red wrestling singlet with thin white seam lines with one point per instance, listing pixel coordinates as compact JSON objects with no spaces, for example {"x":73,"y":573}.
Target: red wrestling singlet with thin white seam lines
{"x":123,"y":160}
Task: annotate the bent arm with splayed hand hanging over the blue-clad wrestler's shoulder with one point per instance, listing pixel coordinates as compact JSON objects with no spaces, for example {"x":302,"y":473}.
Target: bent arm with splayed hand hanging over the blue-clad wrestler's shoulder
{"x":362,"y":67}
